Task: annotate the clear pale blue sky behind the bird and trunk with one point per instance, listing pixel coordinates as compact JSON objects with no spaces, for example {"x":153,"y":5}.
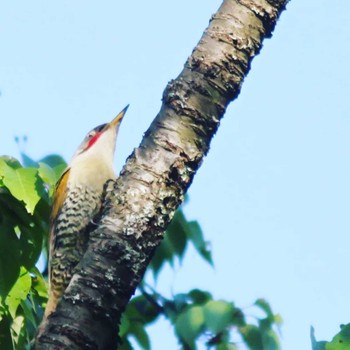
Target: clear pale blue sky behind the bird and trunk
{"x":272,"y":195}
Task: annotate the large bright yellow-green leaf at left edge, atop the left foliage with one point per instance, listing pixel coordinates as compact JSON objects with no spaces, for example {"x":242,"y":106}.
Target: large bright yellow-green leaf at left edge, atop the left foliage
{"x":22,"y":183}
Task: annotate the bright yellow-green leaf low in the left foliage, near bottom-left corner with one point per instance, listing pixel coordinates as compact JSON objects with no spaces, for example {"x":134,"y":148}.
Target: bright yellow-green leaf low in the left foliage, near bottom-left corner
{"x":18,"y":292}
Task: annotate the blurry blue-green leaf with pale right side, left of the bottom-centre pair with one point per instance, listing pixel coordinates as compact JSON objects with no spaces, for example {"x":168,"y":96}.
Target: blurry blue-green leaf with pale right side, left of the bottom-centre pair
{"x":189,"y":324}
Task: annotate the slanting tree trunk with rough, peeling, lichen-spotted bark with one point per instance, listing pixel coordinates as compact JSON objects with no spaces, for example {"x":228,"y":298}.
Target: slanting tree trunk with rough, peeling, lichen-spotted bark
{"x":141,"y":203}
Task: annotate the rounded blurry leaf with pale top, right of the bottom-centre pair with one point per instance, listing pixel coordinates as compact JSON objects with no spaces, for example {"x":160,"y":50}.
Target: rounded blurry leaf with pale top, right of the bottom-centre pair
{"x":218,"y":315}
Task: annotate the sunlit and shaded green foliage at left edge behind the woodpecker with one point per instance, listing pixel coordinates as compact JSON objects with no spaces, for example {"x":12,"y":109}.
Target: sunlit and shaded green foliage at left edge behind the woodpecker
{"x":25,"y":201}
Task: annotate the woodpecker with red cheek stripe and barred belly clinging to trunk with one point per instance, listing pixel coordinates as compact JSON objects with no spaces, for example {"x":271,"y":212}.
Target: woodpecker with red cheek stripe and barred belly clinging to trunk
{"x":77,"y":200}
